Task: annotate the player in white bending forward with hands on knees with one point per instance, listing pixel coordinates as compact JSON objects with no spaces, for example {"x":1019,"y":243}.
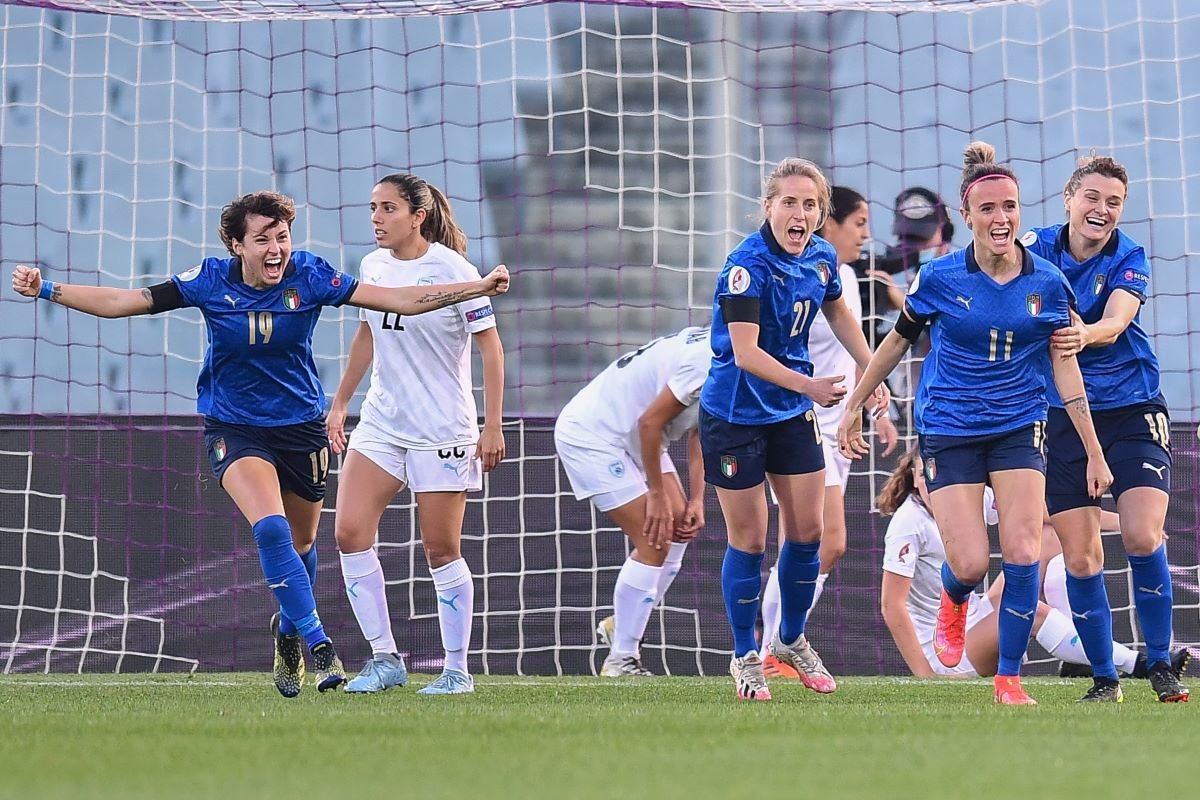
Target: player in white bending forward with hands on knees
{"x":611,"y":441}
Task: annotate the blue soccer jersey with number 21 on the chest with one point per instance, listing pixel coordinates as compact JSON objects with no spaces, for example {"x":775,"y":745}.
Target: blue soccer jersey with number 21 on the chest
{"x":790,"y":291}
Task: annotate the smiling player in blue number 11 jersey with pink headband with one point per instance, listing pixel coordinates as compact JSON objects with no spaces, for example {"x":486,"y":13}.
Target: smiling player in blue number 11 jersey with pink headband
{"x":981,"y":410}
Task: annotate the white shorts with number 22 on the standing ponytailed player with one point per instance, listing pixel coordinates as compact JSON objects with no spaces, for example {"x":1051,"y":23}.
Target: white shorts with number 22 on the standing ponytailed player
{"x":448,"y":470}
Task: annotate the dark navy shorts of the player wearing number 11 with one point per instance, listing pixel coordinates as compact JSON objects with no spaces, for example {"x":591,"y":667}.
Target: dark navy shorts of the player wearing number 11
{"x":951,"y":461}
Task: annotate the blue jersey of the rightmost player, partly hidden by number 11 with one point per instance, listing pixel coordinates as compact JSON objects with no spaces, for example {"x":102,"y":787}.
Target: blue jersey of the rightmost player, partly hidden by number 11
{"x":1126,"y":372}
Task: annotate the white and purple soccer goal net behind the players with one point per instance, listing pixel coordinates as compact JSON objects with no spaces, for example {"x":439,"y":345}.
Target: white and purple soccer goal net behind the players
{"x":610,"y":154}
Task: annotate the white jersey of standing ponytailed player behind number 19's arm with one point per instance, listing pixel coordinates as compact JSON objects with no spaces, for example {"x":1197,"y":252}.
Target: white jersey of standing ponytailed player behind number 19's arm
{"x":421,"y":394}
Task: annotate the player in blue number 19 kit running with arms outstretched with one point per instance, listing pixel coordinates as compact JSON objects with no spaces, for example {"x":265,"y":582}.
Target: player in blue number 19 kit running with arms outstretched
{"x":259,"y":392}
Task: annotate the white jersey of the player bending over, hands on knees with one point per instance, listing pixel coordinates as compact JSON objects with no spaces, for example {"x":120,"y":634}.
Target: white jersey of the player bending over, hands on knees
{"x":608,"y":410}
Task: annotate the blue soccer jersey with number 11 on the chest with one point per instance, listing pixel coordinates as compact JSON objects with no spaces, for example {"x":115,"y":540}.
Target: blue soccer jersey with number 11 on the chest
{"x":989,"y":365}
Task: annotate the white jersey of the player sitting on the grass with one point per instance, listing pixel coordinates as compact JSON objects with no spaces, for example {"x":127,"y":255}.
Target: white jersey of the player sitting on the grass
{"x":913,"y":549}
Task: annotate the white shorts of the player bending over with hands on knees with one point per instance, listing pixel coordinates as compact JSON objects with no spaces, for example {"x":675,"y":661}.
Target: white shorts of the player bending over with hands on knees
{"x":610,"y":476}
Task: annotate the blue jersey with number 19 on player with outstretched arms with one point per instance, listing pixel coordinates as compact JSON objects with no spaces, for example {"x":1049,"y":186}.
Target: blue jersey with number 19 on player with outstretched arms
{"x":260,"y":369}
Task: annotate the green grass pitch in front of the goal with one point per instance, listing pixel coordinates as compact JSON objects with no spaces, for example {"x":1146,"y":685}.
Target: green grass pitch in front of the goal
{"x":232,"y":736}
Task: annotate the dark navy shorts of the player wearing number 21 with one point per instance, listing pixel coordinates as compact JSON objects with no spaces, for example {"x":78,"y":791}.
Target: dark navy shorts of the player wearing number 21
{"x":740,"y":456}
